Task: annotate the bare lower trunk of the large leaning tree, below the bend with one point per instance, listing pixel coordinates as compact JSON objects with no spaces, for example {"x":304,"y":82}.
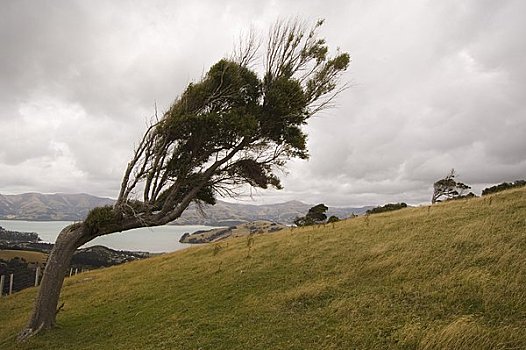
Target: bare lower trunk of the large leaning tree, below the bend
{"x":45,"y":309}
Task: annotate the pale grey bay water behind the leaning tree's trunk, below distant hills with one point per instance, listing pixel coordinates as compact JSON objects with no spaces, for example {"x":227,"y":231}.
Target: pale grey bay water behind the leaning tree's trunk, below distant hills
{"x":146,"y":239}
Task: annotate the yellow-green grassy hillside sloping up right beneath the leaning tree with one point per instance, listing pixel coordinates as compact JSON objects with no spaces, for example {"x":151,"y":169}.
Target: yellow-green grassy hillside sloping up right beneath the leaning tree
{"x":451,"y":276}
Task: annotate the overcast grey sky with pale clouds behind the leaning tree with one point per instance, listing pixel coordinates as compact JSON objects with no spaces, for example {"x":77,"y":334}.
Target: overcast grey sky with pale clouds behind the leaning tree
{"x":435,"y":85}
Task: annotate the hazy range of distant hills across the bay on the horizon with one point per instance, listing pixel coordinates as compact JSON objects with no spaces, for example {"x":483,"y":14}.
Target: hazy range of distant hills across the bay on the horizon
{"x":74,"y":207}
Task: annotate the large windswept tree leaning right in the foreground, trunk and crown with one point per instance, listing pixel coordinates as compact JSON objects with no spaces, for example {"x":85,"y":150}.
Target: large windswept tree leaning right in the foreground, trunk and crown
{"x":231,"y":128}
